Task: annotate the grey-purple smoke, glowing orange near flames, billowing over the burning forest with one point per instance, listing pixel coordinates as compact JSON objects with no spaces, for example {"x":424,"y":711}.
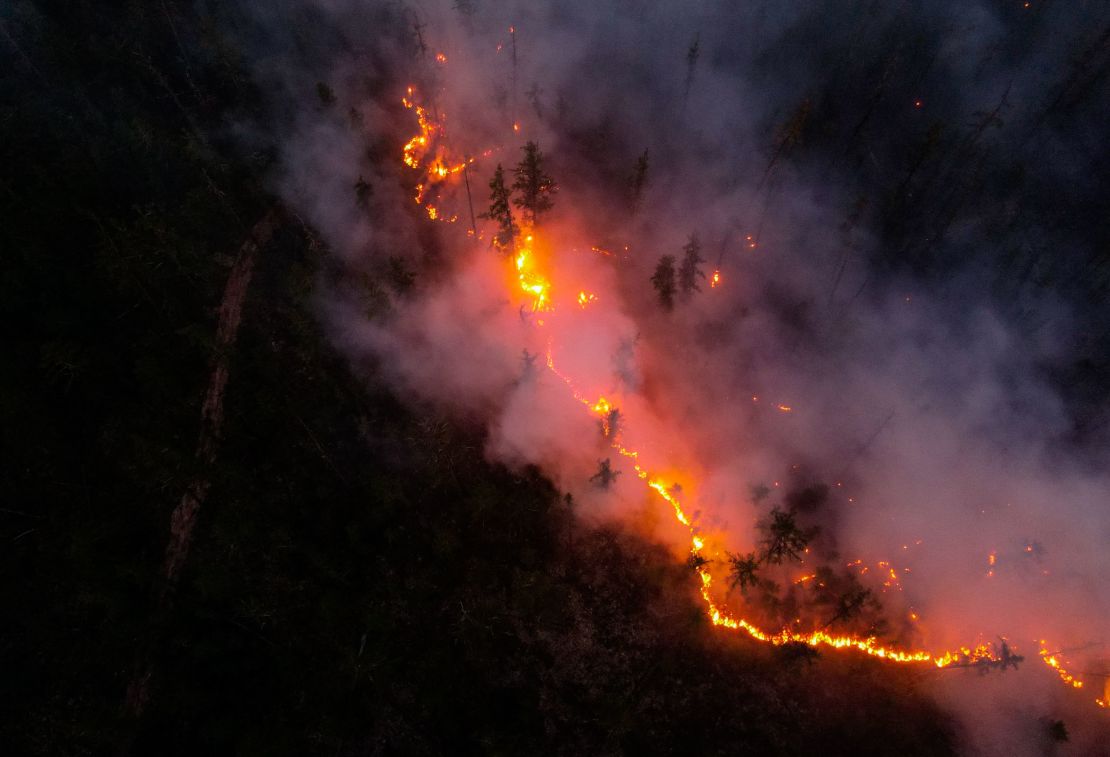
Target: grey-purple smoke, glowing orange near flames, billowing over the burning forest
{"x":902,"y":204}
